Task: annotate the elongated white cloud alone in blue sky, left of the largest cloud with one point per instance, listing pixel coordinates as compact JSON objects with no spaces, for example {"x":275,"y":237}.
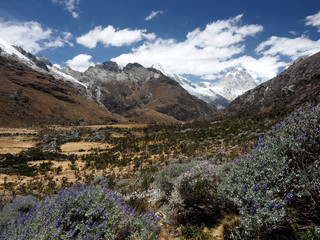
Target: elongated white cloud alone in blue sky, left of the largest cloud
{"x":110,"y":36}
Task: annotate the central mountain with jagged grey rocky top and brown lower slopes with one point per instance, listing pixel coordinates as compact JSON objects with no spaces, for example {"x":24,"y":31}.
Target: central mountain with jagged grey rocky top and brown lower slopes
{"x":141,"y":94}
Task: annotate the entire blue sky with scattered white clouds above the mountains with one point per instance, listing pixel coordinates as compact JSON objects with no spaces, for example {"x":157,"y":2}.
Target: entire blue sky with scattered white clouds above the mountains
{"x":201,"y":39}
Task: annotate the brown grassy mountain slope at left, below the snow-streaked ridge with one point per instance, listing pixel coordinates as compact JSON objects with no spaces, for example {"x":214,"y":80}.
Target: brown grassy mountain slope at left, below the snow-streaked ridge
{"x":31,"y":98}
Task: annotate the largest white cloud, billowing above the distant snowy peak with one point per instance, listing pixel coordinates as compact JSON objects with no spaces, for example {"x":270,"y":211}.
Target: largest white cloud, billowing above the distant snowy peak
{"x":204,"y":53}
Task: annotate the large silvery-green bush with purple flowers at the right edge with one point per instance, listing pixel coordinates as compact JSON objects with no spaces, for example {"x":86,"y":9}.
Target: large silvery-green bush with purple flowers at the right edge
{"x":279,"y":178}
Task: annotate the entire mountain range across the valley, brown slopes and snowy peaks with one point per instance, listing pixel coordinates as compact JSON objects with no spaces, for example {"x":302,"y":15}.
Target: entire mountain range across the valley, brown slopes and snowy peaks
{"x":34,"y":92}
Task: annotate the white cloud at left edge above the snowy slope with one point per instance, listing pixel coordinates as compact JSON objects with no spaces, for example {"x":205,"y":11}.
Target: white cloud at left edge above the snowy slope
{"x":33,"y":37}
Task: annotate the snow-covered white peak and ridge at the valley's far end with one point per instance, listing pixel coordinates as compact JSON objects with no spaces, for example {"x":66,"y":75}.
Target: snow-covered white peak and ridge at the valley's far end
{"x":218,"y":94}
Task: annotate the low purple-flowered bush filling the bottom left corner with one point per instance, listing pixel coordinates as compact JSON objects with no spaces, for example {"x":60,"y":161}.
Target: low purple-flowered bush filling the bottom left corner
{"x":82,"y":212}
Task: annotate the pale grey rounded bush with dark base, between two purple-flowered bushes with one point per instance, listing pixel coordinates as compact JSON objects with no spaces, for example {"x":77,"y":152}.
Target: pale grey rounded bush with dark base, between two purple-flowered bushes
{"x":194,"y":199}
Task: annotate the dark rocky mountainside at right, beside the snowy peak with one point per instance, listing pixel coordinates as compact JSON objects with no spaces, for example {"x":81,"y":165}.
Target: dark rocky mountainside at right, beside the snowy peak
{"x":297,"y":85}
